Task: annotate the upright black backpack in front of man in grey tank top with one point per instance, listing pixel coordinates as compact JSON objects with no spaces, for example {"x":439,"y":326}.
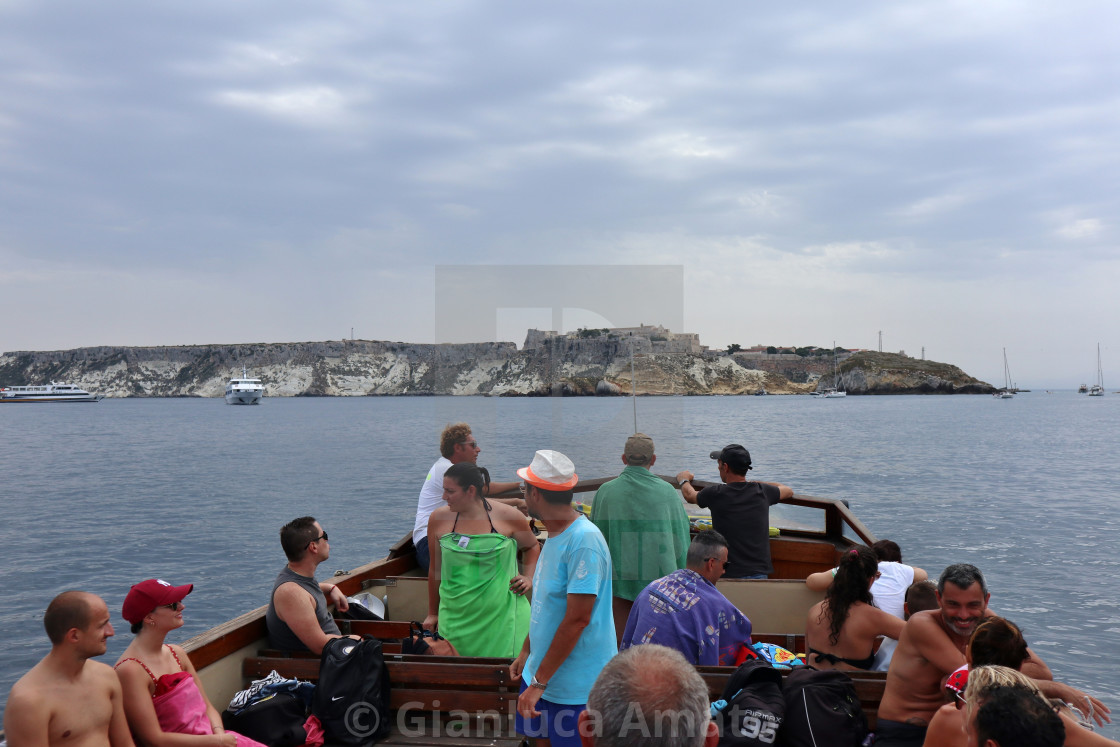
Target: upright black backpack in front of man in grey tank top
{"x":352,"y":697}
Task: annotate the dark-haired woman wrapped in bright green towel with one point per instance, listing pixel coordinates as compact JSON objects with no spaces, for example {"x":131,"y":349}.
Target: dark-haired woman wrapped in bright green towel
{"x":477,"y":593}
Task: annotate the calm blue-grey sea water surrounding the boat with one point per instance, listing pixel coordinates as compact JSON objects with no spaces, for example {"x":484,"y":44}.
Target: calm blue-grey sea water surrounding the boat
{"x":193,"y":491}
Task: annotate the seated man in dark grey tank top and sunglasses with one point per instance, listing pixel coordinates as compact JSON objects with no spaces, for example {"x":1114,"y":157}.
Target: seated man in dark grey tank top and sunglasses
{"x":298,"y":619}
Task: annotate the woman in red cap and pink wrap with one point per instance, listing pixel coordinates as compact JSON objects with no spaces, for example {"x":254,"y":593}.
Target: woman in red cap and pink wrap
{"x":164,"y":702}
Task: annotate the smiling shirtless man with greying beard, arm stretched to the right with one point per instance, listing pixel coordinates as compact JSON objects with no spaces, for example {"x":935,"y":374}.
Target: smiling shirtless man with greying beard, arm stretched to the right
{"x":932,"y":647}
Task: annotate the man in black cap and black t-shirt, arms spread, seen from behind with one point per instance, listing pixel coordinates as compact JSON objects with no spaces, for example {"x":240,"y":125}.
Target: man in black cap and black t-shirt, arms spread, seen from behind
{"x":740,"y":511}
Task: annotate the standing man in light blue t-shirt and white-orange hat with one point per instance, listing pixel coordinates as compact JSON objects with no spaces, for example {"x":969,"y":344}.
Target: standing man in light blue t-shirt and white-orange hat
{"x":572,"y":630}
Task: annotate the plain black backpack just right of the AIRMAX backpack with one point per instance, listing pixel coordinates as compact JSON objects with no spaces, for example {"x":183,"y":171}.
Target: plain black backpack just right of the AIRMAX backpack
{"x":823,"y":709}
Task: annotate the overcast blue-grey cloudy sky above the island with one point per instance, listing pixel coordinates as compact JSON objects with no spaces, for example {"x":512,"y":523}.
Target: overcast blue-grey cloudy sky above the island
{"x":947,"y":173}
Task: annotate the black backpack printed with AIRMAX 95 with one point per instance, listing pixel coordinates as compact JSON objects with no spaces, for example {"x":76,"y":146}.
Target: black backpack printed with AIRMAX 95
{"x":753,"y":707}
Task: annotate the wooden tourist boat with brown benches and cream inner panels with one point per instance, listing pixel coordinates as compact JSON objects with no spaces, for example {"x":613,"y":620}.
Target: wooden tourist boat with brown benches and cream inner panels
{"x":464,"y":701}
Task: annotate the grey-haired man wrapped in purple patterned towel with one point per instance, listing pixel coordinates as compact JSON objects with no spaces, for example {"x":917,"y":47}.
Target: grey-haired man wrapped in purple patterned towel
{"x":685,"y":611}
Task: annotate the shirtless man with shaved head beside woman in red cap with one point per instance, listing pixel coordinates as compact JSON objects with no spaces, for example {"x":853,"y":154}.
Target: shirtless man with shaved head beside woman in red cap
{"x":67,"y":701}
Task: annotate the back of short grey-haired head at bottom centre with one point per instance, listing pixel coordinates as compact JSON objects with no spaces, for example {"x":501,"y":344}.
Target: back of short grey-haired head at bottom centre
{"x":649,"y":696}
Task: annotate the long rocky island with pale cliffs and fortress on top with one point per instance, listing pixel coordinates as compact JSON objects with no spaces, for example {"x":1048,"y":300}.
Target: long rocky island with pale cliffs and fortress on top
{"x":548,"y":365}
